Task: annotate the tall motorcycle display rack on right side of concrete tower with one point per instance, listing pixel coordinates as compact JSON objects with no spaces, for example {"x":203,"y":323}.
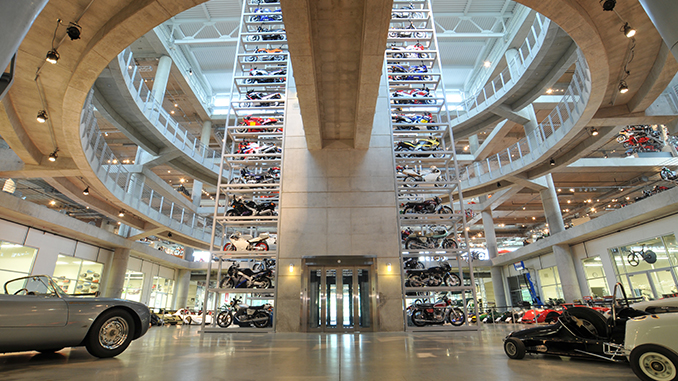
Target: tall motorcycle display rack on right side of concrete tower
{"x":427,"y":182}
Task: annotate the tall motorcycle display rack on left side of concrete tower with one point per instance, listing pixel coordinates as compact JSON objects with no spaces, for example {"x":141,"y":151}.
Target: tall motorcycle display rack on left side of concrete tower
{"x":249,"y":186}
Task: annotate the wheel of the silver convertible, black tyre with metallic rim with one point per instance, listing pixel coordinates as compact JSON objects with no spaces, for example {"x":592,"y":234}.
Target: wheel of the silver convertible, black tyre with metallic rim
{"x":111,"y":333}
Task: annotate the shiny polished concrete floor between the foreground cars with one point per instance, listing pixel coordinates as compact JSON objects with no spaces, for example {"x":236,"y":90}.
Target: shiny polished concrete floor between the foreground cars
{"x":181,"y":353}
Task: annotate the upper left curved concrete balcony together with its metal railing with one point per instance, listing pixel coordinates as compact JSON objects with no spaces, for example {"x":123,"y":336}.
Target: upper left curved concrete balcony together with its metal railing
{"x":126,"y":100}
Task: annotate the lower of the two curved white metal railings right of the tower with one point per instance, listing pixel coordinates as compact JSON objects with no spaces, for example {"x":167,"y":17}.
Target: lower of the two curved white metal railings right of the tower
{"x":545,"y":135}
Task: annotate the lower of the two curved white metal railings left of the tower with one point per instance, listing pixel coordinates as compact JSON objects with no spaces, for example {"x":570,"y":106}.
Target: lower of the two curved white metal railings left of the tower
{"x":131,"y":189}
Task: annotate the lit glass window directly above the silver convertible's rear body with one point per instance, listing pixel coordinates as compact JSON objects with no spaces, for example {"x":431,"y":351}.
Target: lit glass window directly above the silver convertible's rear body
{"x":77,"y":276}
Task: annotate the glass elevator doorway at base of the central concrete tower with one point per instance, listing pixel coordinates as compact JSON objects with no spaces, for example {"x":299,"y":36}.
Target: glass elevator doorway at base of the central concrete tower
{"x":339,"y":298}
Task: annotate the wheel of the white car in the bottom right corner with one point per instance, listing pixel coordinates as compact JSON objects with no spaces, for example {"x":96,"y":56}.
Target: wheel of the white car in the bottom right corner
{"x":651,"y":362}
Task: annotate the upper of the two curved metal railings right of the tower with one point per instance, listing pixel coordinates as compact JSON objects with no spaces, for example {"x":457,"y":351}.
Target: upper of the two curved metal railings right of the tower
{"x":515,"y":69}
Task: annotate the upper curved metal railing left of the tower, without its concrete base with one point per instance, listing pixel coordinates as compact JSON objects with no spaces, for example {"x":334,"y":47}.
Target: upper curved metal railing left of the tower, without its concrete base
{"x":161,"y":119}
